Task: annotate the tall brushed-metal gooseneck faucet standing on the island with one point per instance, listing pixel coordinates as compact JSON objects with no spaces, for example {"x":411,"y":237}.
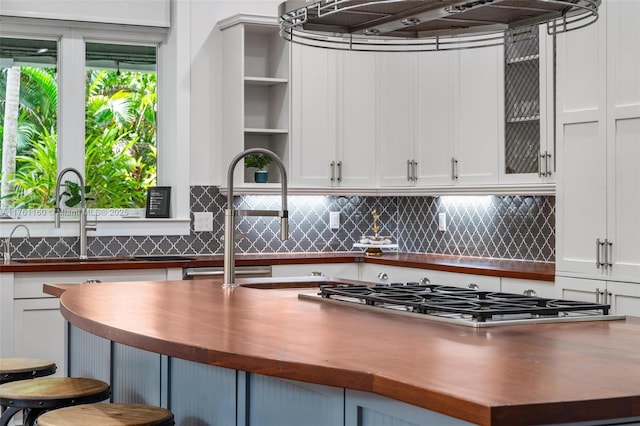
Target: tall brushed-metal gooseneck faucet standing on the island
{"x":230,"y":213}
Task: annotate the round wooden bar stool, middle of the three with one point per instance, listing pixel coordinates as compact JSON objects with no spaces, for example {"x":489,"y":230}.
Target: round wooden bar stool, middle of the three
{"x":43,"y":394}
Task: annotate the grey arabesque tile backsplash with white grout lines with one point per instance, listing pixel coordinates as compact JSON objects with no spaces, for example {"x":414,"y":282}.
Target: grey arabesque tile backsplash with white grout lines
{"x":506,"y":227}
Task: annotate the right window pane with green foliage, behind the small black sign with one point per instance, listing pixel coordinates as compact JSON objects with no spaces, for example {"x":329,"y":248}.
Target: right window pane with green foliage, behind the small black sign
{"x":120,"y":124}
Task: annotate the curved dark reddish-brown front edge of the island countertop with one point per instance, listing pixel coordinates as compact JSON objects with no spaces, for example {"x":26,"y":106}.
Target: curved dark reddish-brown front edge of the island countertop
{"x":570,"y":411}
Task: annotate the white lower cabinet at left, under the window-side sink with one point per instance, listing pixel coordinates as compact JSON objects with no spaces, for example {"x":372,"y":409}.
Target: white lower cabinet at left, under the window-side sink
{"x":32,"y":325}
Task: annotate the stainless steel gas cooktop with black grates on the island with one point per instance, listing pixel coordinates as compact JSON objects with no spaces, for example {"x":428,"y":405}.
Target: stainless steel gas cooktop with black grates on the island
{"x":461,"y":305}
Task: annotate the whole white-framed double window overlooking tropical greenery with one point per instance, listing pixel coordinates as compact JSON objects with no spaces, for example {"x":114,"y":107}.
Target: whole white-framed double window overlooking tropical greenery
{"x":81,"y":97}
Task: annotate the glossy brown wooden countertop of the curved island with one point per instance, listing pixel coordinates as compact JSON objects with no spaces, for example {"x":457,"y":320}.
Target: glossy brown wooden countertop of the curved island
{"x":518,"y":374}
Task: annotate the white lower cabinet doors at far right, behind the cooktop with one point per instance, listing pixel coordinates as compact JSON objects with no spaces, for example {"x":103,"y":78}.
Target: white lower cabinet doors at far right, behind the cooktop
{"x":624,"y":297}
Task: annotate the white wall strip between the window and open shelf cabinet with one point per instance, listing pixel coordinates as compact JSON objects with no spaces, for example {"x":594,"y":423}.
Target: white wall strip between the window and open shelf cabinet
{"x":206,"y":102}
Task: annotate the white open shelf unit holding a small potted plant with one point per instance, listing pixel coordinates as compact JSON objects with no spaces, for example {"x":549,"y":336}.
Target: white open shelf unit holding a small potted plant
{"x":256,"y":72}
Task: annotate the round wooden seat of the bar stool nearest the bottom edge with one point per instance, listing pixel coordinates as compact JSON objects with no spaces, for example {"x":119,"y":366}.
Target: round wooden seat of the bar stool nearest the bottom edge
{"x":116,"y":414}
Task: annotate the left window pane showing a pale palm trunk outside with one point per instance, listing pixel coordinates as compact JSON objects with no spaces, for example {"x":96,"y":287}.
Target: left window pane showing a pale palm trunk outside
{"x":29,"y":114}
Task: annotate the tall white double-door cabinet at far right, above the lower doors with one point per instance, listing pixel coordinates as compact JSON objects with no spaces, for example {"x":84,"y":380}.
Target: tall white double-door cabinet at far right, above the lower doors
{"x":598,"y":205}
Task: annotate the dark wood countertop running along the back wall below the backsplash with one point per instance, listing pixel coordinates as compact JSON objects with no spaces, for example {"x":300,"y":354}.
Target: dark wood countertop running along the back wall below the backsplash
{"x":540,"y":271}
